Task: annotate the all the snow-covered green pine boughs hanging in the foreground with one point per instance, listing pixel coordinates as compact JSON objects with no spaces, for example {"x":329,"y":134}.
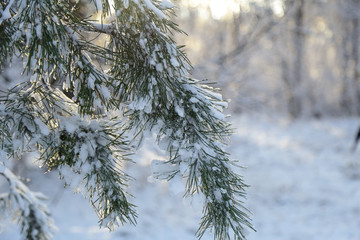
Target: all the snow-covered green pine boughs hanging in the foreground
{"x":88,"y":103}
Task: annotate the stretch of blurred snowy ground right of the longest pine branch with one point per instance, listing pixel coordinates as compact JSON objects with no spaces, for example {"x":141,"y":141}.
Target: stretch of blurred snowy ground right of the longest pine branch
{"x":304,"y":179}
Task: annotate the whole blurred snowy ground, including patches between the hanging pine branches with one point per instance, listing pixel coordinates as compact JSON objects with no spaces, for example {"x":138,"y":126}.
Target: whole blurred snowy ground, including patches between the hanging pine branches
{"x":305,"y":184}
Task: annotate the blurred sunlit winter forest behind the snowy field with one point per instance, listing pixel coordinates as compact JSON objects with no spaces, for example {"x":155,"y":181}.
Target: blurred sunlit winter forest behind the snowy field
{"x":293,"y":57}
